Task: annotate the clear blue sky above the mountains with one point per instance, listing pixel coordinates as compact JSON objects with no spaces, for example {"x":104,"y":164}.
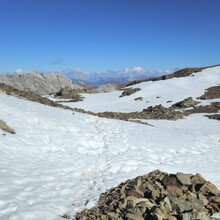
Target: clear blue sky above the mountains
{"x":108,"y":34}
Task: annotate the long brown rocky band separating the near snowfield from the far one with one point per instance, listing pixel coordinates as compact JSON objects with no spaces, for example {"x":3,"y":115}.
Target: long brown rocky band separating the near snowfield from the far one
{"x":157,"y":112}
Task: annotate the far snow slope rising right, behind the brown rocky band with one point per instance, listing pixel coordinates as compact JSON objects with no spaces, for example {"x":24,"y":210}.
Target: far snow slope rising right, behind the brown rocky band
{"x":158,"y":92}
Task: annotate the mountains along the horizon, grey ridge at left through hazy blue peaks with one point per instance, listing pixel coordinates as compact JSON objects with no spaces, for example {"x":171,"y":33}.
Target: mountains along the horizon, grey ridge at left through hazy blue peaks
{"x":44,"y":84}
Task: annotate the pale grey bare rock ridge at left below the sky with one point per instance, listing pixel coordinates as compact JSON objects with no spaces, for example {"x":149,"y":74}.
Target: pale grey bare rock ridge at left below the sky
{"x":42,"y":84}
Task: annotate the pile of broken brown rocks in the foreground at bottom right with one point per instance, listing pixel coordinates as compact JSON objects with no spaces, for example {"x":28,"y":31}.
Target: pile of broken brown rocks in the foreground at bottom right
{"x":157,"y":196}
